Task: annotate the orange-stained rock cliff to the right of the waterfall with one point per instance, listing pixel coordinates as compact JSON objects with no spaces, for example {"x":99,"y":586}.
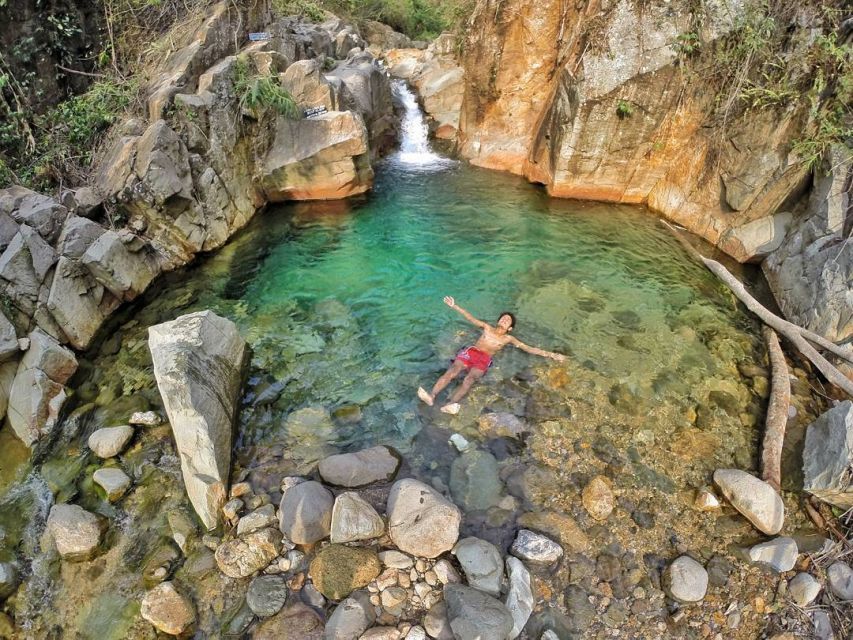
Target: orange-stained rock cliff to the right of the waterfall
{"x":629,"y":102}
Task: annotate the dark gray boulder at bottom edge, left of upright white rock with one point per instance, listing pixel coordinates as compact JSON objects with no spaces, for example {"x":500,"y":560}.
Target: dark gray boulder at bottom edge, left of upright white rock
{"x":473,"y":615}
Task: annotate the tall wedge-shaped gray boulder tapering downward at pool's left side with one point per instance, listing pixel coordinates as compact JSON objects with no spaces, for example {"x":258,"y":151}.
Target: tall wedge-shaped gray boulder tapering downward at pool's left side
{"x":198,"y":363}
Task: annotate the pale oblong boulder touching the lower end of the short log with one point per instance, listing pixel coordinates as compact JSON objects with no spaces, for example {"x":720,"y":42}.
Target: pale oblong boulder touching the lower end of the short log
{"x":754,"y":498}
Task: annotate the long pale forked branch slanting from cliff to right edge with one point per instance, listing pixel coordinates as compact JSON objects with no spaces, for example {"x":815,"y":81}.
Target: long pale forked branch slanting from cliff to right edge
{"x":795,"y":334}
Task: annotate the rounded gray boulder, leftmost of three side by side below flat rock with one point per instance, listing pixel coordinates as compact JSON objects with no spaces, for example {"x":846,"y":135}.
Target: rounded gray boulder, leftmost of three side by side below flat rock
{"x":305,"y":512}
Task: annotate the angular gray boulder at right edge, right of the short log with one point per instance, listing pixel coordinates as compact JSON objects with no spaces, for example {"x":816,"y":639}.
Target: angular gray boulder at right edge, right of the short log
{"x":828,"y":456}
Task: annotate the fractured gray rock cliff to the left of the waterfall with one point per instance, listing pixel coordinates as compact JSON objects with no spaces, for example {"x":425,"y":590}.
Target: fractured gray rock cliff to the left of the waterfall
{"x":209,"y":151}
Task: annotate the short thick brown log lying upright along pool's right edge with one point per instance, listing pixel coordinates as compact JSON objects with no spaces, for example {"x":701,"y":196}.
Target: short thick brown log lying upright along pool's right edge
{"x":777,"y":412}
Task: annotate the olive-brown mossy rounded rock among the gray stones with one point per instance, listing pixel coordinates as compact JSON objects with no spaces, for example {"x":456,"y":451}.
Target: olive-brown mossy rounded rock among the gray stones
{"x":338,"y":570}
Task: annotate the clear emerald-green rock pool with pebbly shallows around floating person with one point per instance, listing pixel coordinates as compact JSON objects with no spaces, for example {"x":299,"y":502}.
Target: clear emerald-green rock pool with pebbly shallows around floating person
{"x":341,"y":303}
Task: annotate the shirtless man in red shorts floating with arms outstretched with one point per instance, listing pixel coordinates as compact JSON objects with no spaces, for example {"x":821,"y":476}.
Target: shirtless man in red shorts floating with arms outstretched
{"x":478,"y":359}
